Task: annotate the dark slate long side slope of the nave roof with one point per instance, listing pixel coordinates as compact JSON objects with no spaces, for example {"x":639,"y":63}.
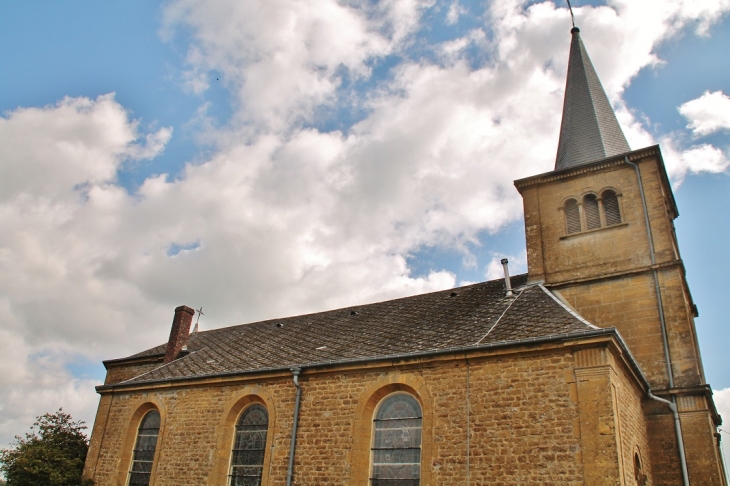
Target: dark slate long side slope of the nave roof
{"x":454,"y":318}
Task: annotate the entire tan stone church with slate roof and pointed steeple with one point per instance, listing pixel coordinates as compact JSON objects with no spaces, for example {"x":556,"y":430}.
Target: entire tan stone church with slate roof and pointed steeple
{"x":586,"y":370}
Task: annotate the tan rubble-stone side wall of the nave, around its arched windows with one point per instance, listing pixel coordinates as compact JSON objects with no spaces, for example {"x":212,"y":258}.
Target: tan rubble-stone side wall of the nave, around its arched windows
{"x":517,"y":415}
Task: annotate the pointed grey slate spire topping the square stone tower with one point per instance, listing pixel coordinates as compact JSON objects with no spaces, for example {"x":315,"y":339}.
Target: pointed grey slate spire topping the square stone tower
{"x":589,"y":130}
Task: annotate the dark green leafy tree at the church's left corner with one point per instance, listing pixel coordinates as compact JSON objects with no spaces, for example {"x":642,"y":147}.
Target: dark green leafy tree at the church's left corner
{"x":51,"y":454}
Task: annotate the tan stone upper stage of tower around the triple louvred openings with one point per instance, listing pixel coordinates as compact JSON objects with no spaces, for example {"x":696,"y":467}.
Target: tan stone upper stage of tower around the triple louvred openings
{"x":555,"y":257}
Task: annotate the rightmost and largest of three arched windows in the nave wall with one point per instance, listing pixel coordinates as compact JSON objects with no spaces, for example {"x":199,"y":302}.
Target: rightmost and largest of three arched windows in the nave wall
{"x":396,"y":448}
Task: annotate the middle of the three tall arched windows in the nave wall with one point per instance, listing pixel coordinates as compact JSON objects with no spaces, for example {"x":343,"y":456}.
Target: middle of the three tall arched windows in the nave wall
{"x":249,"y":448}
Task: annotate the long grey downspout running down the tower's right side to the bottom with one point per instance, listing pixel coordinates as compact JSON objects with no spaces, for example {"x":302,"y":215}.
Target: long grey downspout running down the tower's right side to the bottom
{"x":672,"y":405}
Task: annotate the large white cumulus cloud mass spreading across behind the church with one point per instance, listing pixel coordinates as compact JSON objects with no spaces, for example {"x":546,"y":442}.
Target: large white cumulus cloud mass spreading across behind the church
{"x":283,"y":218}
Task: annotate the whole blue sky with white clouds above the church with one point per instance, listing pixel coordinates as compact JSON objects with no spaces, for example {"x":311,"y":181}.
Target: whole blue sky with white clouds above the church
{"x":363,"y":154}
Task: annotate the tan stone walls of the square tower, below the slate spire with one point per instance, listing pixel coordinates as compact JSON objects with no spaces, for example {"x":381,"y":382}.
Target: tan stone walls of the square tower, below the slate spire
{"x":609,"y":276}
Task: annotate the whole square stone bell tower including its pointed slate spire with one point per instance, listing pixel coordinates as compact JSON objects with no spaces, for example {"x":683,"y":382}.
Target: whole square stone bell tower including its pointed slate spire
{"x":600,"y":235}
